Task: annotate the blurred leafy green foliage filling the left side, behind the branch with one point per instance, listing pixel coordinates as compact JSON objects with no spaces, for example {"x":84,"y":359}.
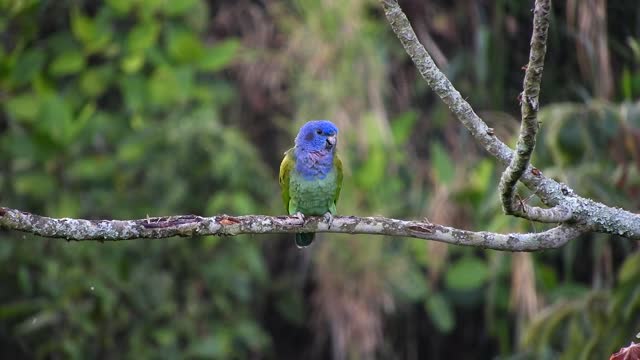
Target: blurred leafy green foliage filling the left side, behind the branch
{"x":115,"y":110}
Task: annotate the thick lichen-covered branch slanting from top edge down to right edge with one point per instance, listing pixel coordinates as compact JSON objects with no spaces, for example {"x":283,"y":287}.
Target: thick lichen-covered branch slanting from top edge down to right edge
{"x":566,"y":206}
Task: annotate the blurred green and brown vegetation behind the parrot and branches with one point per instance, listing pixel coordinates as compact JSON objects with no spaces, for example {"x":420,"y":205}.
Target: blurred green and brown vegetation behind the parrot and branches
{"x":124,"y":108}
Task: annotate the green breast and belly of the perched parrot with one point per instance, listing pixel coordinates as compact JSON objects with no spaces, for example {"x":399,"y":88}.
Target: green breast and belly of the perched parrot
{"x":312,"y":196}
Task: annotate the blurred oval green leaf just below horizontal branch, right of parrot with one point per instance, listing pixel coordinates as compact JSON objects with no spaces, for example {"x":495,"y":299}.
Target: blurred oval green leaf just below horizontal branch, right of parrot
{"x":467,"y":273}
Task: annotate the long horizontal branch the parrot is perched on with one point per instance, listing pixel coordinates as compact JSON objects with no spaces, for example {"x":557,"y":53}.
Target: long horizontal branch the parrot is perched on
{"x":225,"y":225}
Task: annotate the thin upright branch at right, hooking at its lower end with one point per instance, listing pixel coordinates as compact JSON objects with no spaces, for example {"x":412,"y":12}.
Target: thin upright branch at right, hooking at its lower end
{"x":529,"y":100}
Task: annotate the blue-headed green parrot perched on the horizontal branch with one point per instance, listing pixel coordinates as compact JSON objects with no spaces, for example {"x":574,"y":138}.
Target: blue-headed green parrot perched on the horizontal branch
{"x":311,"y":175}
